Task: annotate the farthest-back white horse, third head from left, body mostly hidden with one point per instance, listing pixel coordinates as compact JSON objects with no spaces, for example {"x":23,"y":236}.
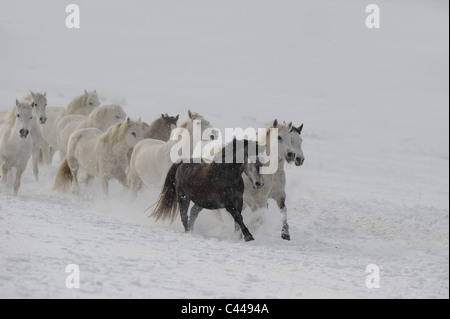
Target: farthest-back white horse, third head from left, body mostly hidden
{"x":83,"y":104}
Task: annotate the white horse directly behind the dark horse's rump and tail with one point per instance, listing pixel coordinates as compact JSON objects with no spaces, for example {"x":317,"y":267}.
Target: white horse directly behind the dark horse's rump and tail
{"x":150,"y":161}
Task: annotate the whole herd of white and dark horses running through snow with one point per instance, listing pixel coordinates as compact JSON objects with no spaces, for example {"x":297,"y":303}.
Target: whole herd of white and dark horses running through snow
{"x":106,"y":144}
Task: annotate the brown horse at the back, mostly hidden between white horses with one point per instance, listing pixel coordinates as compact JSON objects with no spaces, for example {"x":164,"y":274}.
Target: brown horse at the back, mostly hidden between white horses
{"x":159,"y":129}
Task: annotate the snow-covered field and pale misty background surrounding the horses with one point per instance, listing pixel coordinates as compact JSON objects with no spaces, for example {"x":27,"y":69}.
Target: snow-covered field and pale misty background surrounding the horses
{"x":374,"y":188}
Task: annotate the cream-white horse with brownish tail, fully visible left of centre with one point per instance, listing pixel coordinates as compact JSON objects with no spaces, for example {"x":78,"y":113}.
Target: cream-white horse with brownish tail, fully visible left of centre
{"x":100,"y":154}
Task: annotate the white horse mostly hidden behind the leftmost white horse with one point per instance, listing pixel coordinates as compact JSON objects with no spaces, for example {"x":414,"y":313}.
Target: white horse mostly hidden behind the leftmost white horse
{"x":39,"y":103}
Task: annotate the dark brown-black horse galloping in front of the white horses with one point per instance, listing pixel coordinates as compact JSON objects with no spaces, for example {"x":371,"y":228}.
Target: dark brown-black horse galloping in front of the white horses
{"x":209,"y":186}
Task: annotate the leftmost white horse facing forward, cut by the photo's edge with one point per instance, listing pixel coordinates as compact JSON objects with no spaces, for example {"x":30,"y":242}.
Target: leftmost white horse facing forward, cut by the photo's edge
{"x":15,"y":143}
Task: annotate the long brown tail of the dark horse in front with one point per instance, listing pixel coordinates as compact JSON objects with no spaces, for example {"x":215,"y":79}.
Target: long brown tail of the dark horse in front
{"x":167,"y":205}
